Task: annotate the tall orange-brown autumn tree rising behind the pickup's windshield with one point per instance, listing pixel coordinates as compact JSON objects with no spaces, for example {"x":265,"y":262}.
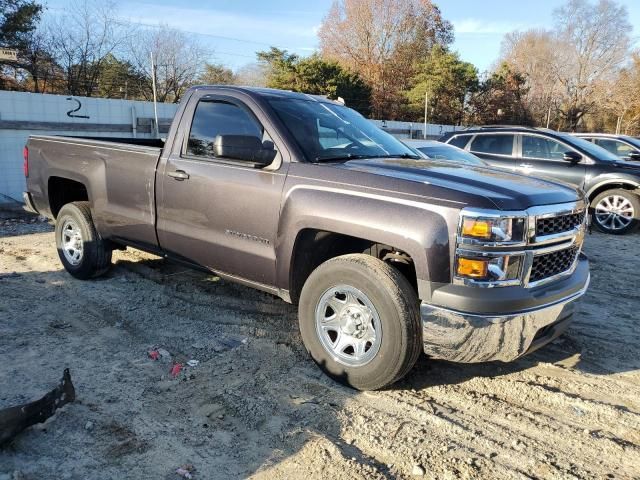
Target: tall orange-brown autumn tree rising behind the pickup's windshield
{"x":382,"y":40}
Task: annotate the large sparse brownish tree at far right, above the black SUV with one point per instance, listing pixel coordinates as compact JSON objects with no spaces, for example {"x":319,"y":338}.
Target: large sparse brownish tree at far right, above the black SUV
{"x":570,"y":68}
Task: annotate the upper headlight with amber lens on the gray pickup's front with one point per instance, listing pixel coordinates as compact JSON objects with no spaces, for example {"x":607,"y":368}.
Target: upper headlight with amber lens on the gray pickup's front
{"x":492,"y":229}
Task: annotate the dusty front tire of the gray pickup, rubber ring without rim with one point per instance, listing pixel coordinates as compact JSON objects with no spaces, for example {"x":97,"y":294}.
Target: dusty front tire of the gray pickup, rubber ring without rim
{"x":396,"y":304}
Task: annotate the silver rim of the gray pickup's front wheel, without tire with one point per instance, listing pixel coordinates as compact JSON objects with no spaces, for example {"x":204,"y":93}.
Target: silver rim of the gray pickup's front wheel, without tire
{"x":348,"y":325}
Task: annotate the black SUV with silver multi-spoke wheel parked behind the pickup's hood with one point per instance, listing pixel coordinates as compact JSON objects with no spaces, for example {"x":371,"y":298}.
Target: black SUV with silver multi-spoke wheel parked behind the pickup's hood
{"x":612,"y":185}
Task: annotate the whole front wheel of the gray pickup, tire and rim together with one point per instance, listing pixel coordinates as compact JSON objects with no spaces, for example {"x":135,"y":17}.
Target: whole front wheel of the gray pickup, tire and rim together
{"x":360,"y":321}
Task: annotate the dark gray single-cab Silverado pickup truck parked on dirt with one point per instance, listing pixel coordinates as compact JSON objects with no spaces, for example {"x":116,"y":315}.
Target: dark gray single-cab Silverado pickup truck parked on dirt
{"x":385,"y":253}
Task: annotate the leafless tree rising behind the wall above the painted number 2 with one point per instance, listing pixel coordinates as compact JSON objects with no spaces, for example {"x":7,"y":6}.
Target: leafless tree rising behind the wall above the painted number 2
{"x":80,"y":40}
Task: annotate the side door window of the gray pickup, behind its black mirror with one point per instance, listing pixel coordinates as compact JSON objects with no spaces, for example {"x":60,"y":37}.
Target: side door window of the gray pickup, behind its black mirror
{"x":213,"y":119}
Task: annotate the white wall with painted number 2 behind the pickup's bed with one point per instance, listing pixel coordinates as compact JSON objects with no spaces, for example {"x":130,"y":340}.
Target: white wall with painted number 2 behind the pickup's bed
{"x":23,"y":114}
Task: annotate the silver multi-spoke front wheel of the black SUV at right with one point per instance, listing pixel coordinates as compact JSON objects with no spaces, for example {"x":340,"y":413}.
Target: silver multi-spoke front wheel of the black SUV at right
{"x":616,"y":211}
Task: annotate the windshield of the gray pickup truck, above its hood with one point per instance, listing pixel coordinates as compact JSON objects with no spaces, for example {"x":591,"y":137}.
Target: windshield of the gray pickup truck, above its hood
{"x":325,"y":131}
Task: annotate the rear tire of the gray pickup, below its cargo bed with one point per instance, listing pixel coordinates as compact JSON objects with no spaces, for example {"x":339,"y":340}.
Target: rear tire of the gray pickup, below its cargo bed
{"x":95,"y":256}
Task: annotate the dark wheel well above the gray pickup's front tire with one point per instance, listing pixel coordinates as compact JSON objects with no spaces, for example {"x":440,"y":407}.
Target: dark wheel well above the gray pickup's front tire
{"x":313,"y":247}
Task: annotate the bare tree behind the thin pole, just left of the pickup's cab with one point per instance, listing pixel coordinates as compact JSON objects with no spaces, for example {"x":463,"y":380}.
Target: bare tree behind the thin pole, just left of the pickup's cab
{"x":179,"y":60}
